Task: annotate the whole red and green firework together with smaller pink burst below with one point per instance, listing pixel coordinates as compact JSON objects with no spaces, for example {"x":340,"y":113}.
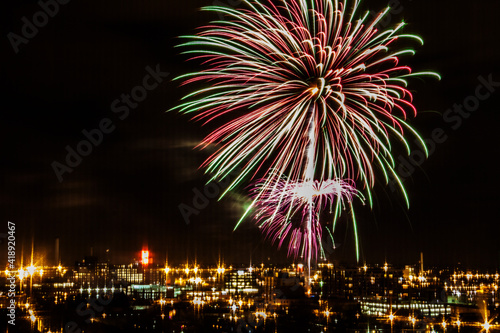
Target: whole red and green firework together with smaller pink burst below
{"x":312,"y":93}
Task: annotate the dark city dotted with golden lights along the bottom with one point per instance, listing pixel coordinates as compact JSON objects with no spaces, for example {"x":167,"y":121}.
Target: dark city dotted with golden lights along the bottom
{"x":156,"y":297}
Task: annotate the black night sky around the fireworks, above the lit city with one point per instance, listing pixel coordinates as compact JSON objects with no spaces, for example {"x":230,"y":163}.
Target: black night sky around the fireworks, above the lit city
{"x":126,"y":193}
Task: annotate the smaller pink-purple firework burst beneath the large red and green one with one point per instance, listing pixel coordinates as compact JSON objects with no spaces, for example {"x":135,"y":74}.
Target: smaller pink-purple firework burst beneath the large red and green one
{"x":285,"y":211}
